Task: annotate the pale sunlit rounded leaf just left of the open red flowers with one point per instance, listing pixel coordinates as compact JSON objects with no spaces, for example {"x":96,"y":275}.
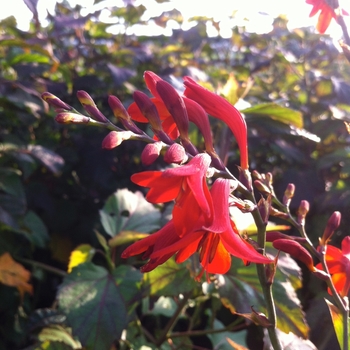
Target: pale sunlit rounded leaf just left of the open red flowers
{"x":128,"y":211}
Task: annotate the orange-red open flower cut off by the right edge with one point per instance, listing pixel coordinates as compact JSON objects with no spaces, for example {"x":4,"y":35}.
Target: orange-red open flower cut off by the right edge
{"x":338,"y":263}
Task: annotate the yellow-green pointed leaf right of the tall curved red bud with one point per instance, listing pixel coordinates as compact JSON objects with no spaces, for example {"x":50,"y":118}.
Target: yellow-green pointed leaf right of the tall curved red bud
{"x":277,"y":112}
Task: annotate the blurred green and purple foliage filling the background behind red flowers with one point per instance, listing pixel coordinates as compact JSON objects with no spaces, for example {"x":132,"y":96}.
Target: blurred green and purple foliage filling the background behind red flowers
{"x":58,"y":187}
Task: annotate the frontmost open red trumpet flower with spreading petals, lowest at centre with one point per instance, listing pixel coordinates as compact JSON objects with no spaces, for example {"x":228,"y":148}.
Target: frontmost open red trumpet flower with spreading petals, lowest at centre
{"x":215,"y":242}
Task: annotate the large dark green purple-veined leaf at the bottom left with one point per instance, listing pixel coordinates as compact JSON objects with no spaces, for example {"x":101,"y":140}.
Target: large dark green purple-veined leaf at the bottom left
{"x":94,"y":306}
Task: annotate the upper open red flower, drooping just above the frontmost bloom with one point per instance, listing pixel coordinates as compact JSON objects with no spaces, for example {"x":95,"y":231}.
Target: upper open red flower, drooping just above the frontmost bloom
{"x":174,"y":183}
